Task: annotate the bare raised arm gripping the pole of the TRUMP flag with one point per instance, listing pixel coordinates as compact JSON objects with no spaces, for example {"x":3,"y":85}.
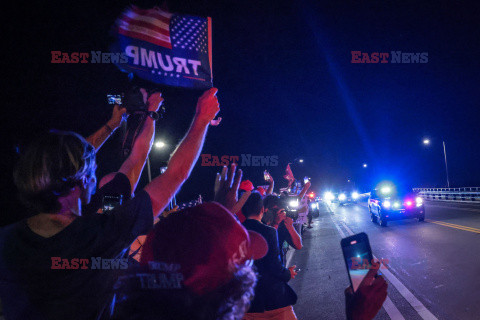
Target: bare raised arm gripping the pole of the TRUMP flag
{"x":164,"y":187}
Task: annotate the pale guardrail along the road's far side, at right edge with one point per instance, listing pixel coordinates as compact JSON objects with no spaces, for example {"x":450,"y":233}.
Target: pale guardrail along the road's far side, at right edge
{"x":468,"y":194}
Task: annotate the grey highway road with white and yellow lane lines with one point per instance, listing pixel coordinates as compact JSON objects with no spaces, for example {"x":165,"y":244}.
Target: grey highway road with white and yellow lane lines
{"x":433,"y":270}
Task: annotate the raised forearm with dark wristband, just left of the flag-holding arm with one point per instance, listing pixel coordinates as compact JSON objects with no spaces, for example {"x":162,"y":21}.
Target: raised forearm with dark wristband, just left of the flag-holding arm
{"x":133,"y":166}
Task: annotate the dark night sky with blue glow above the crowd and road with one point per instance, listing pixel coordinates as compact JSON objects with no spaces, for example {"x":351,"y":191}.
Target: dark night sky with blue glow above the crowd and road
{"x":286,"y":87}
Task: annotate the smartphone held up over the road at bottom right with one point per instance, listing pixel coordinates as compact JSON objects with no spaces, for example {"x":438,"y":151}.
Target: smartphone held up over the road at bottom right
{"x":358,"y":257}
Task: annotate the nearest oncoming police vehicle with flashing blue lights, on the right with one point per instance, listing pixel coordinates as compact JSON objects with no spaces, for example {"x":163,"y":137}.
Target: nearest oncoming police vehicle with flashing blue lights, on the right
{"x":387,"y":203}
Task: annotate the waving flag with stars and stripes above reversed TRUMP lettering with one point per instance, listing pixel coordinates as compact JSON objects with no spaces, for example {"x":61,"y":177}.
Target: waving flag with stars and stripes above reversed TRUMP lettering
{"x":165,"y":48}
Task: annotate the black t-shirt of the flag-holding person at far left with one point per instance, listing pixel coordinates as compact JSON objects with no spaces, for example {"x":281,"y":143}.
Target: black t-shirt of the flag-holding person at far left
{"x":31,"y":286}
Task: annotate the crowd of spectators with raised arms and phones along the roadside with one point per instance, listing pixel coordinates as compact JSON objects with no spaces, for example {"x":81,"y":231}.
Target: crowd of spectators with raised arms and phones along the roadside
{"x":222,"y":259}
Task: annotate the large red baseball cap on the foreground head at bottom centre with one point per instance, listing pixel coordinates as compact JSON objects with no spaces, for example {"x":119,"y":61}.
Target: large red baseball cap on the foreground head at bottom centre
{"x":203,"y":244}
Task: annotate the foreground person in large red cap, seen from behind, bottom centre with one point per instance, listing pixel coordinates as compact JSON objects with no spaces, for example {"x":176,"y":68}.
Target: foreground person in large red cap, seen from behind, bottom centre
{"x":196,"y":265}
